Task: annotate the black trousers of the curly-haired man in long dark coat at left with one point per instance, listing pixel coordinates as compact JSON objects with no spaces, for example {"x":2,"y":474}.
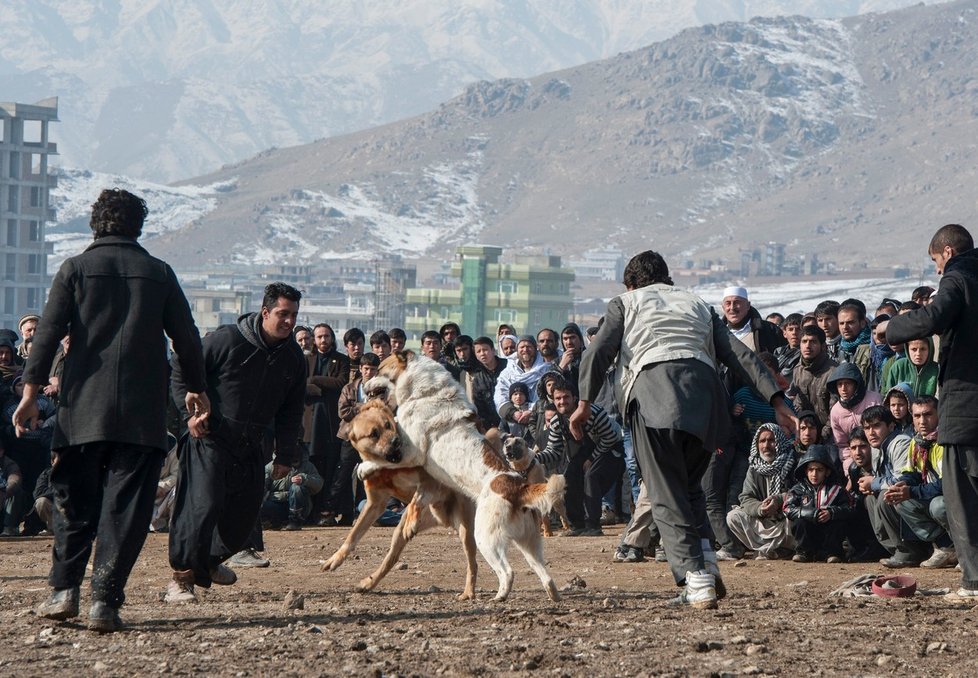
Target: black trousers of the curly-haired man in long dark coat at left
{"x":102,"y":490}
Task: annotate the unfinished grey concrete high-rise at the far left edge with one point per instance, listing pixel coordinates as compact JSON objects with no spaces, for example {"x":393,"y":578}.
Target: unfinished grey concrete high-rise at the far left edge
{"x":25,"y":185}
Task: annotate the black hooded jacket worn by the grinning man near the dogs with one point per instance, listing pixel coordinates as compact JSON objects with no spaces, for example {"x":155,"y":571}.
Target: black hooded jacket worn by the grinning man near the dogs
{"x":252,"y":386}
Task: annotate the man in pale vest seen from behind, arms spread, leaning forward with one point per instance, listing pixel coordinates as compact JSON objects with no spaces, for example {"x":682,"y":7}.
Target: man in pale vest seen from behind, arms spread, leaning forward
{"x":667,"y":343}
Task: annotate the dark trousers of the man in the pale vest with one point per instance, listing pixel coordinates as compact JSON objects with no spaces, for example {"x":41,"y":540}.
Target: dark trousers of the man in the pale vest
{"x":673,"y":463}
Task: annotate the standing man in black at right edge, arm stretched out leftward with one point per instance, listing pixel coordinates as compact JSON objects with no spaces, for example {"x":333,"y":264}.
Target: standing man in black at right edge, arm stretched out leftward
{"x":952,"y":313}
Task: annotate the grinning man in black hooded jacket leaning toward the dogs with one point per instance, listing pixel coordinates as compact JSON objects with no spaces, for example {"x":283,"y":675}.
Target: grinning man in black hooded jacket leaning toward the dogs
{"x":256,"y":380}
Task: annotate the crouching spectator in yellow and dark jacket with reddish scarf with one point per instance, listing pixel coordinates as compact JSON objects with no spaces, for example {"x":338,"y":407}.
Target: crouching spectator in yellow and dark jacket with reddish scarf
{"x":918,"y":493}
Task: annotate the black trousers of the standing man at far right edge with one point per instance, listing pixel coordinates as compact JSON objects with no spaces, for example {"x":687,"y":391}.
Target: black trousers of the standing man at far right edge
{"x":960,"y":478}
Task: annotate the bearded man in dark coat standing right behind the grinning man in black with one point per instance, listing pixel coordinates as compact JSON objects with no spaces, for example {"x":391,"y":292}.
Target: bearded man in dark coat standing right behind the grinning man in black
{"x":328,"y":371}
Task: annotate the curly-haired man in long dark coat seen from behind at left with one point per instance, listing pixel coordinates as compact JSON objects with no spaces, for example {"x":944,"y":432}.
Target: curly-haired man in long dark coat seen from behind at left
{"x":115,"y":302}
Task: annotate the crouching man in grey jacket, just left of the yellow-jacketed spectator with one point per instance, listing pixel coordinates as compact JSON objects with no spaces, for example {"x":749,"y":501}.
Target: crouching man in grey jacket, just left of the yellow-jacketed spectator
{"x":891,"y":454}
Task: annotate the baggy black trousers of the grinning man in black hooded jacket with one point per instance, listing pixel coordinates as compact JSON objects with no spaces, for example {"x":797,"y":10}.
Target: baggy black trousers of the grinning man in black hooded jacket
{"x":219,"y":493}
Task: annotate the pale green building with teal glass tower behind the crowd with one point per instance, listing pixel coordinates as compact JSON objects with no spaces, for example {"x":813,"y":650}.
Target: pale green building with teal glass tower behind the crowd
{"x":530,"y":293}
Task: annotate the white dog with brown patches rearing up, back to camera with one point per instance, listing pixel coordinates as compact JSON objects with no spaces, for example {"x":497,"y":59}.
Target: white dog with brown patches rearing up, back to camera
{"x":439,"y":430}
